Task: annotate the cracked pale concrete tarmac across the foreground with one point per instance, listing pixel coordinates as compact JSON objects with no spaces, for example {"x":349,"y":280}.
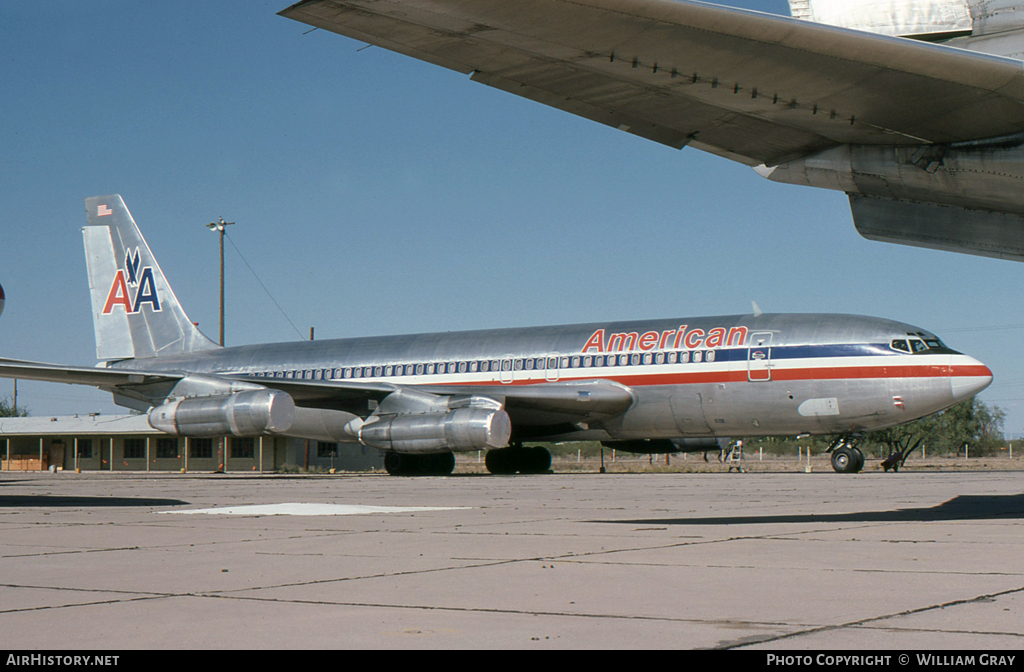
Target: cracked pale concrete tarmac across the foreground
{"x":757,"y":561}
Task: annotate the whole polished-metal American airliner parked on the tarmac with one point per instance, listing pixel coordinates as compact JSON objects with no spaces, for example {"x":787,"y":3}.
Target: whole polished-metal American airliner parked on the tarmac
{"x":647,"y":387}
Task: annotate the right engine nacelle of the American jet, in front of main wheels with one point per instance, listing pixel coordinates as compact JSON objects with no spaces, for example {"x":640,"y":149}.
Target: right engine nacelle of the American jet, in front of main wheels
{"x":460,"y":431}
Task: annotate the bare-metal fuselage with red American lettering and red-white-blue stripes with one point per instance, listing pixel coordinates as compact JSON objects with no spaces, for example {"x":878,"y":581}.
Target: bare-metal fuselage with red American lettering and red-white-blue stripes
{"x":729,"y":376}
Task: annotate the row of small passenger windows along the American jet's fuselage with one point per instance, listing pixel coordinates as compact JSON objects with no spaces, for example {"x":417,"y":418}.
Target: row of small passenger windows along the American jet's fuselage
{"x":497,"y":366}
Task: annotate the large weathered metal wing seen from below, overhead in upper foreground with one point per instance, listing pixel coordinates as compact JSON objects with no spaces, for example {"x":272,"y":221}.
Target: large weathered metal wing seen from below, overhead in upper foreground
{"x":753,"y":88}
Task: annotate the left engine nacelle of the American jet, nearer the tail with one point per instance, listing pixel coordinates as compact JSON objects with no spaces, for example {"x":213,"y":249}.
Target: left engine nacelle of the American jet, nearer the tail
{"x":243,"y":414}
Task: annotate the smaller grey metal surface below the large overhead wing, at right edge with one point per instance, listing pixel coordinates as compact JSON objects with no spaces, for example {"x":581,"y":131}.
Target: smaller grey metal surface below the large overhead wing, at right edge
{"x":953,"y":229}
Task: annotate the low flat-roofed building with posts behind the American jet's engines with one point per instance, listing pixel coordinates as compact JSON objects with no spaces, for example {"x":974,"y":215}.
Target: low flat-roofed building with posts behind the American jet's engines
{"x":98,"y":443}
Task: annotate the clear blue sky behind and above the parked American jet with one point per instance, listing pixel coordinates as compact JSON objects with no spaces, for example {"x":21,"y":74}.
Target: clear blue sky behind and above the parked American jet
{"x":375,"y":194}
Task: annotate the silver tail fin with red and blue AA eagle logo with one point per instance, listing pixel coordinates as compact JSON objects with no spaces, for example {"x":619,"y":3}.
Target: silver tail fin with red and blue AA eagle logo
{"x":135,"y":311}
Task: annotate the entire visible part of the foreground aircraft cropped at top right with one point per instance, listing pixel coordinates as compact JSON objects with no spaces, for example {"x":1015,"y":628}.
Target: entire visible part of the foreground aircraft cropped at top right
{"x":914,"y":108}
